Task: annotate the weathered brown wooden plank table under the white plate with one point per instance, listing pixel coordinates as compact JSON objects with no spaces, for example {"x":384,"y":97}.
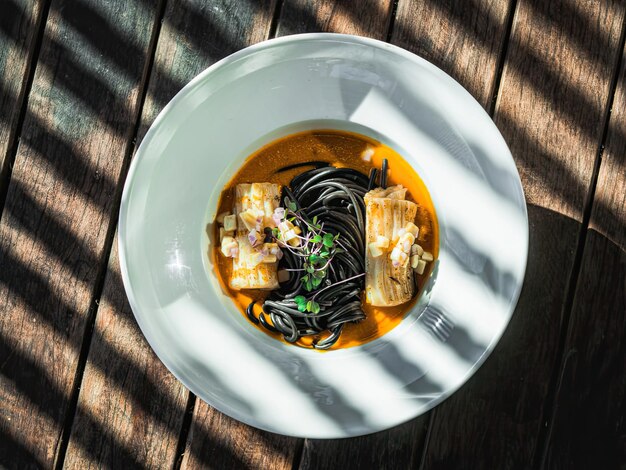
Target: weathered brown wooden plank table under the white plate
{"x":80,"y":83}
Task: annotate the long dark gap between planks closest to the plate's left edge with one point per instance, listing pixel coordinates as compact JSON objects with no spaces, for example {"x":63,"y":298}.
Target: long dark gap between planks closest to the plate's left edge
{"x":110,"y":235}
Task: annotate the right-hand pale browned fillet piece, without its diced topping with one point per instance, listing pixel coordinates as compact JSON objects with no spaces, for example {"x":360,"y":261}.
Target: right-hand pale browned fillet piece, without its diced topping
{"x":386,"y":212}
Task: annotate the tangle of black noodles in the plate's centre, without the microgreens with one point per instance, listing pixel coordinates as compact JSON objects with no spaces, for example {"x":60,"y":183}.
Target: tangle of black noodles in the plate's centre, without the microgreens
{"x":335,"y":196}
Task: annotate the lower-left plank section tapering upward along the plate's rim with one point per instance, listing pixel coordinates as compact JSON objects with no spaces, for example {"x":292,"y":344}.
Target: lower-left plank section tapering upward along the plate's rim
{"x":137,"y":402}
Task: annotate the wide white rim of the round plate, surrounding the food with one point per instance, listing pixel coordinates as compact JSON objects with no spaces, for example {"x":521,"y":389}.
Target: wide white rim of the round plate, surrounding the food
{"x":315,"y":81}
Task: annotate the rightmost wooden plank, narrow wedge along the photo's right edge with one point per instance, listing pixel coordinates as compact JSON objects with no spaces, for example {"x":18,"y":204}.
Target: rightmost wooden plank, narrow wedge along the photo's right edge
{"x":589,"y":427}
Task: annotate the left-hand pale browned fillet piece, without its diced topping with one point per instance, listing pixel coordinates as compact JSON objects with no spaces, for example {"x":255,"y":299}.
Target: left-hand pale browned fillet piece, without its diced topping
{"x":248,"y":271}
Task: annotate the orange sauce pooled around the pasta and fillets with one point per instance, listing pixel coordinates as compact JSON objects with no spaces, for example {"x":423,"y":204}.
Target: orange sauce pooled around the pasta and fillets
{"x":341,"y":149}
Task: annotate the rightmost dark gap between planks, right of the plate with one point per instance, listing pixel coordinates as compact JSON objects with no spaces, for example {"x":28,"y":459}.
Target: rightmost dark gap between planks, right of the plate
{"x":550,"y":407}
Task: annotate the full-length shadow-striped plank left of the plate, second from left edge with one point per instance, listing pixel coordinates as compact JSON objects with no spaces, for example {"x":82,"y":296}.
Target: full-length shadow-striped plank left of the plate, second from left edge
{"x":81,"y":112}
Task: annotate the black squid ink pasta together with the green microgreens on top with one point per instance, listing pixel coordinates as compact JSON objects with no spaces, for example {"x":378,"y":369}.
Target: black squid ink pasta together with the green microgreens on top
{"x":325,"y":202}
